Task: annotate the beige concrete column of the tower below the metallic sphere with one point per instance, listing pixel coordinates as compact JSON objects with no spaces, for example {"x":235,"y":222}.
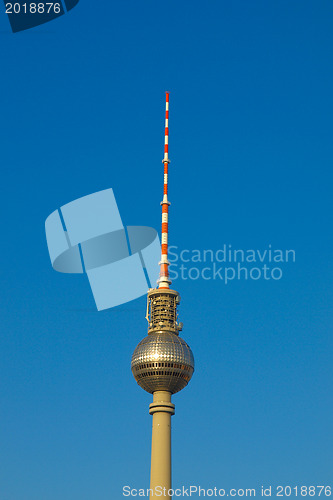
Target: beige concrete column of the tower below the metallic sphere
{"x":160,"y":474}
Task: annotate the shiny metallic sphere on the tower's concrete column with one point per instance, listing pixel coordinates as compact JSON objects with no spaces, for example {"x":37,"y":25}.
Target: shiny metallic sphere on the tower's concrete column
{"x":162,"y":362}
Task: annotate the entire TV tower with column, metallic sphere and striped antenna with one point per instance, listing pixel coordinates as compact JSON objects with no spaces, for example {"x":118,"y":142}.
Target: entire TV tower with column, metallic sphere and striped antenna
{"x":162,"y":363}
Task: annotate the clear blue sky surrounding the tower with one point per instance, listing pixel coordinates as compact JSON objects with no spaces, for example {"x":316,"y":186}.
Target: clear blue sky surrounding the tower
{"x":251,"y":126}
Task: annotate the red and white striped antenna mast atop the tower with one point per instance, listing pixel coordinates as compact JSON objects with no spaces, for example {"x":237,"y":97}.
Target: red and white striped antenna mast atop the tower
{"x":164,"y":280}
